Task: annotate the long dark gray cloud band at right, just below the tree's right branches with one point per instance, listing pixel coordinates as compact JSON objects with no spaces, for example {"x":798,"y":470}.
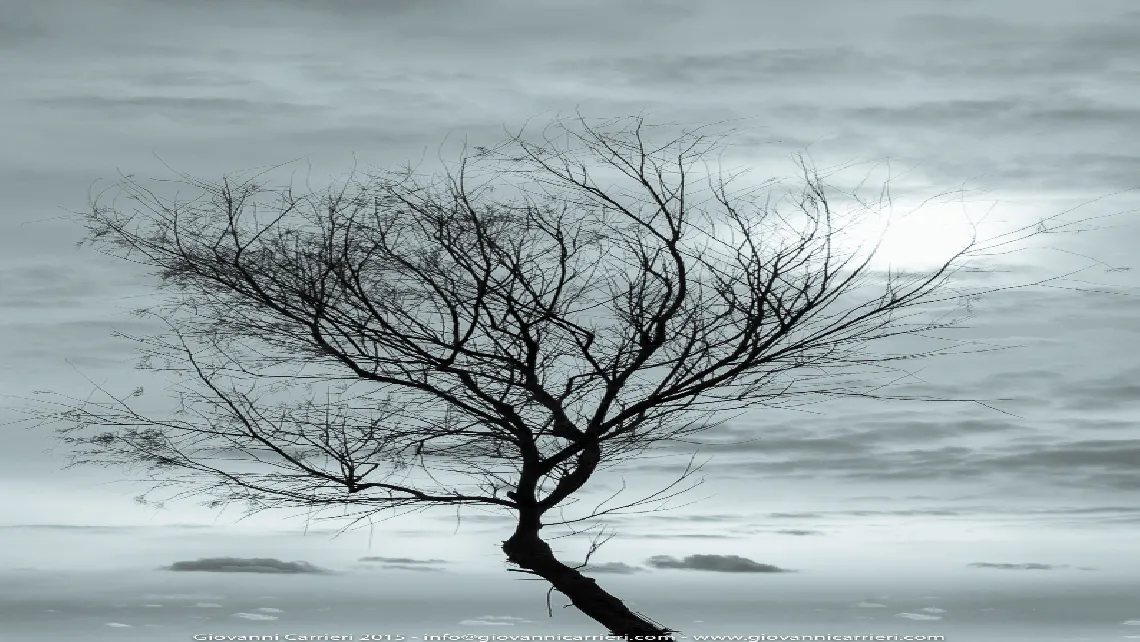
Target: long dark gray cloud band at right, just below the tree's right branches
{"x":903,"y":445}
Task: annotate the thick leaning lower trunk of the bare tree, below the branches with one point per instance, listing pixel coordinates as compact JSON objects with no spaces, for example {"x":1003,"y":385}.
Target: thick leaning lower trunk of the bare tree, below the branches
{"x":527,"y":550}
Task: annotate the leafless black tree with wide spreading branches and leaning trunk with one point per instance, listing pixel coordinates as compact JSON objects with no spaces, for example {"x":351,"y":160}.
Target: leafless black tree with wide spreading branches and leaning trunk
{"x":493,"y":335}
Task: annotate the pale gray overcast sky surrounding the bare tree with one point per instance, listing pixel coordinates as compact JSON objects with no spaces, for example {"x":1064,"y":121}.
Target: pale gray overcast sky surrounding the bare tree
{"x":1015,"y":519}
